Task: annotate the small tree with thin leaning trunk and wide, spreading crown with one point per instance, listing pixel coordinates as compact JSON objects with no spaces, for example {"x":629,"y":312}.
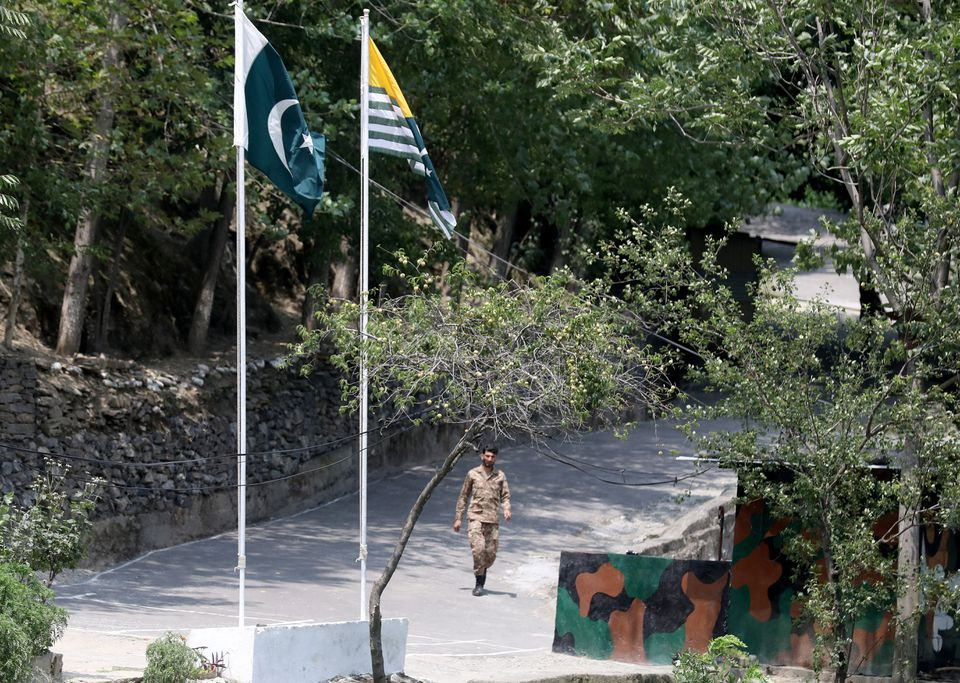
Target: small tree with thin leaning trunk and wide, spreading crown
{"x":501,"y":361}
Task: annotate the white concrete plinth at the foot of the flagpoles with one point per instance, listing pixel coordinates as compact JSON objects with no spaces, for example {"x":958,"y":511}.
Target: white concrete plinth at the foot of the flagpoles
{"x":301,"y":653}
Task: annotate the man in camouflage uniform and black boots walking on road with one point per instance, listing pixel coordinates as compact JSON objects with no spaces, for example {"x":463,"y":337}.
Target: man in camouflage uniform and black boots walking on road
{"x":490,"y":491}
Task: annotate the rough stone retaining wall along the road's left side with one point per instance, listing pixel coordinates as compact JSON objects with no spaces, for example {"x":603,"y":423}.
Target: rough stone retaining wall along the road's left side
{"x":107,"y":418}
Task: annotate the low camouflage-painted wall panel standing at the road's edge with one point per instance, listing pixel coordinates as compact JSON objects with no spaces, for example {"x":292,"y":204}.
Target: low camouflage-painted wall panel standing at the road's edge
{"x":636,"y":608}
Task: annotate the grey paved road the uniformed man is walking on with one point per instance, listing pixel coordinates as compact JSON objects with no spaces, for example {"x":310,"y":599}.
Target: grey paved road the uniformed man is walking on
{"x":303,"y":568}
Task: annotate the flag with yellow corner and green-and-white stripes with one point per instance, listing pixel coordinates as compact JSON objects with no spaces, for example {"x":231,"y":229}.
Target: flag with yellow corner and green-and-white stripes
{"x":393,"y":130}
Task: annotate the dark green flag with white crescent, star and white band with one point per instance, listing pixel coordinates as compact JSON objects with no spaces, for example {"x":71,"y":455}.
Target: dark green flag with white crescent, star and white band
{"x":269,"y":123}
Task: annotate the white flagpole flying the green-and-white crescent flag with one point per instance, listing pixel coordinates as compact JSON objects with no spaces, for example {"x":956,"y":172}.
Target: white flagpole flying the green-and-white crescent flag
{"x":239,"y":106}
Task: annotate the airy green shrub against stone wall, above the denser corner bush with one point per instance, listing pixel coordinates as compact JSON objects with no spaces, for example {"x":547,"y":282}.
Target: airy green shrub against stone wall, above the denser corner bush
{"x":48,"y":534}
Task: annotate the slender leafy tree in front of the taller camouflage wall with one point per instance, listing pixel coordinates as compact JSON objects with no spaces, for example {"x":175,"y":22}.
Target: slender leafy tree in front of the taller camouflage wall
{"x":821,"y":402}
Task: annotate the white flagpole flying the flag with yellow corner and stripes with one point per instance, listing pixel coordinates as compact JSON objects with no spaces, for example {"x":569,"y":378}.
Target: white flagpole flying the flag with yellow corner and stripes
{"x":364,"y":286}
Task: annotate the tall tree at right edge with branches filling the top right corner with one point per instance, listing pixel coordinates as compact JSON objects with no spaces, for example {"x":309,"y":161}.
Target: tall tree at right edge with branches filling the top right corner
{"x":861,"y":91}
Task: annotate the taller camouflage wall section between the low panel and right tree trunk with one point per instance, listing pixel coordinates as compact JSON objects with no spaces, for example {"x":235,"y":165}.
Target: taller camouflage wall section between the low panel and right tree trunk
{"x":764,"y":614}
